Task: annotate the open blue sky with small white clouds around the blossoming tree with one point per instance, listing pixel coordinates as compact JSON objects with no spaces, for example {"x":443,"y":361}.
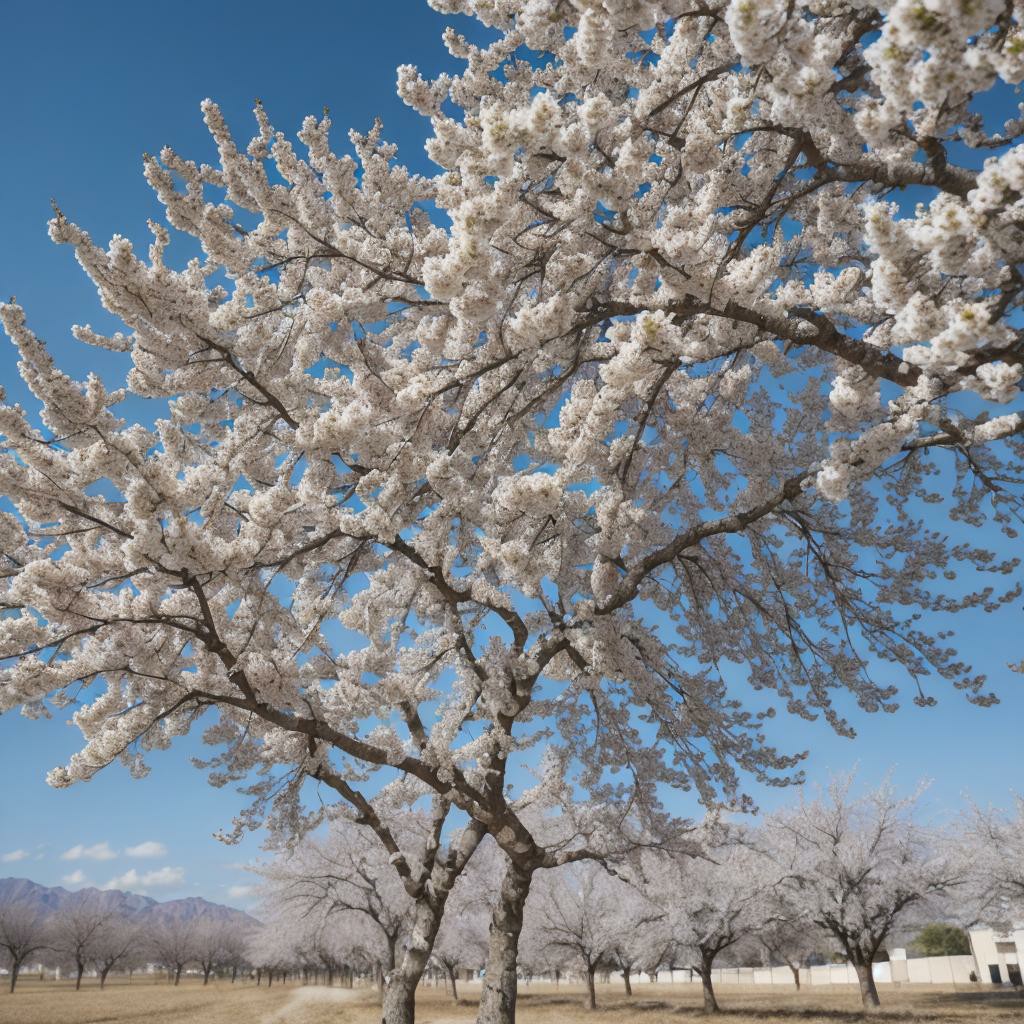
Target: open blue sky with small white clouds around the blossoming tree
{"x":84,"y":92}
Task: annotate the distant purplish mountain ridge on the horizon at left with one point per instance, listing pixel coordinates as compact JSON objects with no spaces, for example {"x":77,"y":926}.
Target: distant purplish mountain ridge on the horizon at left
{"x":50,"y":900}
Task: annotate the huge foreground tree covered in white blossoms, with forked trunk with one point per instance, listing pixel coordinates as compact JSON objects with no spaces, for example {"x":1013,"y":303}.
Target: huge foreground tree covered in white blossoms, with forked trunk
{"x":656,"y":372}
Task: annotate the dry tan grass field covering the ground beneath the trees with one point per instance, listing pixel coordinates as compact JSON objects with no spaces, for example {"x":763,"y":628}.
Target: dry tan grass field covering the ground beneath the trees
{"x":147,"y":1003}
